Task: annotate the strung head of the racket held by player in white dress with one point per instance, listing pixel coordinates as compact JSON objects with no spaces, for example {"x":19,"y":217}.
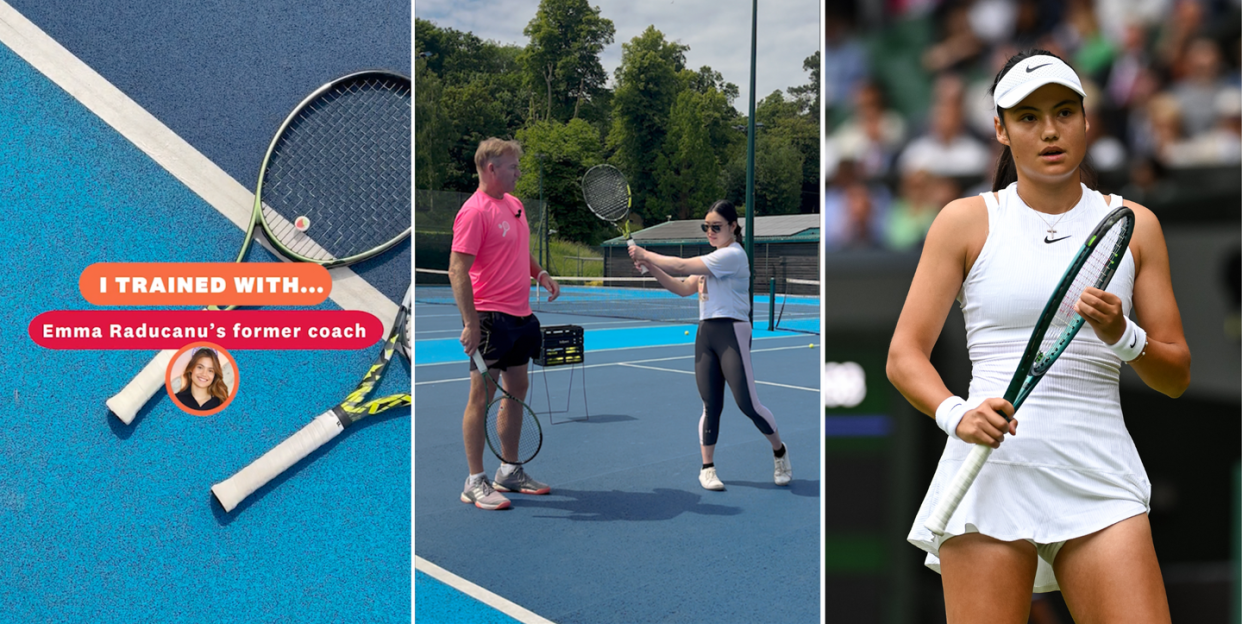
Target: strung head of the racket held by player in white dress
{"x":1094,"y":267}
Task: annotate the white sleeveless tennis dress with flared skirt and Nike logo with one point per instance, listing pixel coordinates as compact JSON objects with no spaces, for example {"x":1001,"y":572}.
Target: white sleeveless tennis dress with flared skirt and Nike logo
{"x":1072,"y":469}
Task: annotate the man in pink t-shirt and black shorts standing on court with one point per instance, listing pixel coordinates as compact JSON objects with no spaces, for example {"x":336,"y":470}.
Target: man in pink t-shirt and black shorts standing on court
{"x":491,"y":268}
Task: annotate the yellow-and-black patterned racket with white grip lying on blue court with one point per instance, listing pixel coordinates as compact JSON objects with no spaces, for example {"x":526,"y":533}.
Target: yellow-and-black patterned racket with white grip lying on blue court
{"x":232,"y":492}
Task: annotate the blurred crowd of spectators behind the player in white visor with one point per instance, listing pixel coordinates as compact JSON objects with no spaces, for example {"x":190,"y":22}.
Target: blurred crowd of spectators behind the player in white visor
{"x":1163,"y":86}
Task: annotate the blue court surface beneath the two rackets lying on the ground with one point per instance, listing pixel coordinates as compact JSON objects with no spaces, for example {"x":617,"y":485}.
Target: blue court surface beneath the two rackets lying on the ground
{"x":107,"y":523}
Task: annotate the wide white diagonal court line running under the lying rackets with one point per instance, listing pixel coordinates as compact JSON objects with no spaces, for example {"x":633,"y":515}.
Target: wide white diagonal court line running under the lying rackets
{"x":196,"y":171}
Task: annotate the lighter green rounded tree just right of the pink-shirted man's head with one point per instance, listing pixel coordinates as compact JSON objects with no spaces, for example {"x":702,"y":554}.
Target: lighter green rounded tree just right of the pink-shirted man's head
{"x":566,"y":152}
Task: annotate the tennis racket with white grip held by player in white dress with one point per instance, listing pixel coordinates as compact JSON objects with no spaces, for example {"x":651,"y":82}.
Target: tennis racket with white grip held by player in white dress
{"x":1059,"y":324}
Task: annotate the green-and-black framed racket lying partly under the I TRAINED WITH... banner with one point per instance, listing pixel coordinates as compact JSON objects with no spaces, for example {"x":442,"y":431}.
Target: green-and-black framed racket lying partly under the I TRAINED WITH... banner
{"x":333,"y":190}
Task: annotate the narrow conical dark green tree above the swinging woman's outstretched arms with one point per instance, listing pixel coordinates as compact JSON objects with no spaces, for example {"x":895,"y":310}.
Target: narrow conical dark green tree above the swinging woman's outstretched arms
{"x":687,"y":172}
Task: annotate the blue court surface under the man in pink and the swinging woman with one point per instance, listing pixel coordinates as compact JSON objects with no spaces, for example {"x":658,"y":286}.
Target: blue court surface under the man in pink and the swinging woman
{"x":628,"y":534}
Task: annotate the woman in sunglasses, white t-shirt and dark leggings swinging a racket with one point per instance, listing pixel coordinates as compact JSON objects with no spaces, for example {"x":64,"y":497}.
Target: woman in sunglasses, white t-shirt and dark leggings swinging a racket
{"x":722,"y":349}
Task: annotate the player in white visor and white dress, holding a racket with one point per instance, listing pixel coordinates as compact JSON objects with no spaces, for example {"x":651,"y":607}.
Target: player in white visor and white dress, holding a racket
{"x":1064,"y":505}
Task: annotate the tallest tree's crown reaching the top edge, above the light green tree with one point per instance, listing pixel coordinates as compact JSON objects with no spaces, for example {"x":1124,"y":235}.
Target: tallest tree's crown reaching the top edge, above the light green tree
{"x":563,"y":57}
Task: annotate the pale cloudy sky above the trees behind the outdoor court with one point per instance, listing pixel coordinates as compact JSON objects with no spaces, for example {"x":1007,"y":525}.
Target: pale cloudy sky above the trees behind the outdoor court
{"x":717,"y":32}
